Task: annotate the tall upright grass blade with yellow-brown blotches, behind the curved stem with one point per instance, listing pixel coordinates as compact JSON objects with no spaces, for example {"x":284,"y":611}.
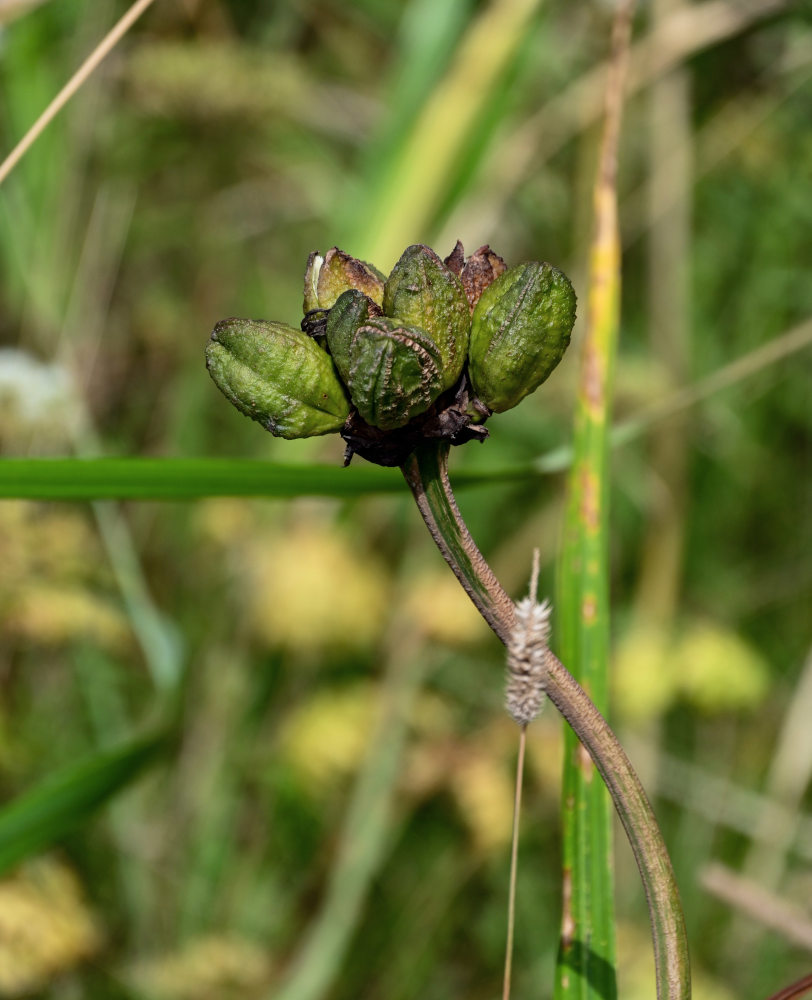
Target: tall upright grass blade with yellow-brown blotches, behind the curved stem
{"x":586,"y":960}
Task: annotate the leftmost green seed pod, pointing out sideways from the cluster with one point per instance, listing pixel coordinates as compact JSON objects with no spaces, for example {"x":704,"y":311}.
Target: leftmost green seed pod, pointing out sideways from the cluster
{"x":278,"y":376}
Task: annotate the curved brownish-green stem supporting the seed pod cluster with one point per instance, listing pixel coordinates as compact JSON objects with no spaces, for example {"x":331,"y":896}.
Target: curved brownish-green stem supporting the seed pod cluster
{"x":426,"y":472}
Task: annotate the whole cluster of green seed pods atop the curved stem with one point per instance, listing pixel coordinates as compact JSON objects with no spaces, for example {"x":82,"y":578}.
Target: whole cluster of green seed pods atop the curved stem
{"x":430,"y":351}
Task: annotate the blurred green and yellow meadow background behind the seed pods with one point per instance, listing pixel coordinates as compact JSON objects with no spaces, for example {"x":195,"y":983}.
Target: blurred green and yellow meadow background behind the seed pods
{"x":330,"y":816}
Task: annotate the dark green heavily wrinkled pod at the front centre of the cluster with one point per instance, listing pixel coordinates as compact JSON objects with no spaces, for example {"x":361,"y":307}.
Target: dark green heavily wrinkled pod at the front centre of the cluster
{"x":392,"y":371}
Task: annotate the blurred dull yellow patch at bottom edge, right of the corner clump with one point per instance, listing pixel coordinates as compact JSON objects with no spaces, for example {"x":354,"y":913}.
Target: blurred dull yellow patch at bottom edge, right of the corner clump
{"x":210,"y":968}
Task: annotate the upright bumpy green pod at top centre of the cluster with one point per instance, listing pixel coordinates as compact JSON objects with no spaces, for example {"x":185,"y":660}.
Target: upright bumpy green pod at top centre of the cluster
{"x":422,"y":292}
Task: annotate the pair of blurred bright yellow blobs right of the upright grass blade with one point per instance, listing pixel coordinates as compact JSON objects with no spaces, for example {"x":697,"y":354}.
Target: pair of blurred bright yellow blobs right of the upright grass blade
{"x":709,"y":666}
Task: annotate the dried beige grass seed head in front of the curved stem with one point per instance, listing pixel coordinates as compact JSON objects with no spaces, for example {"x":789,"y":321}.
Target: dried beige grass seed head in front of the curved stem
{"x":527,"y":650}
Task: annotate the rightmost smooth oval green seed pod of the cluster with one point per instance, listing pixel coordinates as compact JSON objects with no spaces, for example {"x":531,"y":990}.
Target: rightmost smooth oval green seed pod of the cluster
{"x":520,"y":329}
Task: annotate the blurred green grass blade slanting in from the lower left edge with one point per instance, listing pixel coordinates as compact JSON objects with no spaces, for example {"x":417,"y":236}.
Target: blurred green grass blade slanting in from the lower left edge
{"x":63,"y":801}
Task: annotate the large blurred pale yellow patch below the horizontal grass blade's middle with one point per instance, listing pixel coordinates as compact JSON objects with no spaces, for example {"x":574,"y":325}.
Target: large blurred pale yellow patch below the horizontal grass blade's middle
{"x":310,"y":590}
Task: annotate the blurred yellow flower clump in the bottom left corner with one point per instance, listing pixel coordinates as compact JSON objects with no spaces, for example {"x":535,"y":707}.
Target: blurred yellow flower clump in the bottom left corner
{"x":45,"y":927}
